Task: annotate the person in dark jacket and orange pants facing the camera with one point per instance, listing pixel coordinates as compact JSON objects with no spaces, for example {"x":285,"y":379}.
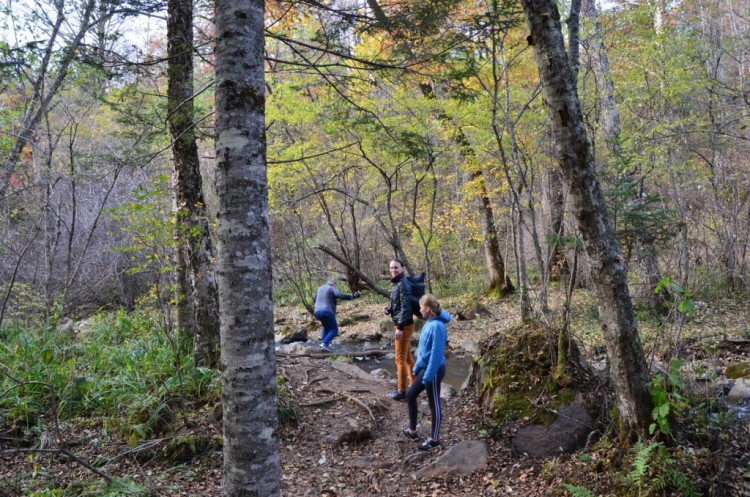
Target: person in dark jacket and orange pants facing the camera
{"x":401,"y":313}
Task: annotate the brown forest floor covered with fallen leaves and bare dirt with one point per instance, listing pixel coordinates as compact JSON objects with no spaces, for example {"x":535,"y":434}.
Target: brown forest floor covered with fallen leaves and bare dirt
{"x":347,"y":440}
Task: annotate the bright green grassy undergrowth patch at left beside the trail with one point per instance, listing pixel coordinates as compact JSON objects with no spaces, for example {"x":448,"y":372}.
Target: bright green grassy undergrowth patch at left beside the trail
{"x":124,"y":369}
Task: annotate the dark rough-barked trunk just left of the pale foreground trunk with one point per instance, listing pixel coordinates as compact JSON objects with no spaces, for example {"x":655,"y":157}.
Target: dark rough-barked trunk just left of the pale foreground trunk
{"x":191,"y":213}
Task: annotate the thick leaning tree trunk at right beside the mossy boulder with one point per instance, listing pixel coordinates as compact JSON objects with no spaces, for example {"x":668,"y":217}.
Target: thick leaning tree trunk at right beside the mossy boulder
{"x":629,"y":369}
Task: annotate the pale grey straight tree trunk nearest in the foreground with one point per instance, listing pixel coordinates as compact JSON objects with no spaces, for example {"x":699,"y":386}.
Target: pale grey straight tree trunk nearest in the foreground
{"x":248,"y":359}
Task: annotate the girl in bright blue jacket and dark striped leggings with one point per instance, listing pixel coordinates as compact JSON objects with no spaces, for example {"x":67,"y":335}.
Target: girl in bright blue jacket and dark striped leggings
{"x":429,"y":370}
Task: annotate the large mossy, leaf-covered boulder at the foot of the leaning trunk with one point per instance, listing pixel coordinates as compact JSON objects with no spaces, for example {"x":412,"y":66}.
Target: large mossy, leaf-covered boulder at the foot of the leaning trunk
{"x":520,"y":387}
